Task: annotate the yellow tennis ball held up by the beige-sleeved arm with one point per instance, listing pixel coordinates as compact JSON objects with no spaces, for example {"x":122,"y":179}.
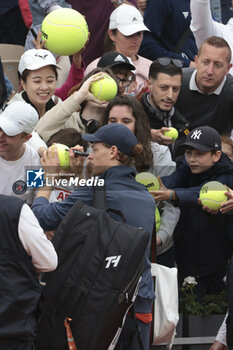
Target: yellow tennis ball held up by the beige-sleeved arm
{"x":104,"y":89}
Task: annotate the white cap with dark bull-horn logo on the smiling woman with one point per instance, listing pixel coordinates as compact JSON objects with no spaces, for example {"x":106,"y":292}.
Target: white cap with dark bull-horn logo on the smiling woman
{"x":34,"y":59}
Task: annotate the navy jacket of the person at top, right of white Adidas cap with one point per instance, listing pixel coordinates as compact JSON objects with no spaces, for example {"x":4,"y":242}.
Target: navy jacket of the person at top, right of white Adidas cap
{"x":168,"y":20}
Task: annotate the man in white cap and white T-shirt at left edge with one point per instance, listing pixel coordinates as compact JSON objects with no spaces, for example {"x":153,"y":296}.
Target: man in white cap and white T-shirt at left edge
{"x":17,"y":123}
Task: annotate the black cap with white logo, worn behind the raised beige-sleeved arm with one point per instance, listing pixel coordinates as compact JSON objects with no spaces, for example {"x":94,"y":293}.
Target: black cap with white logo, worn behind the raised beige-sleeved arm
{"x":112,"y":59}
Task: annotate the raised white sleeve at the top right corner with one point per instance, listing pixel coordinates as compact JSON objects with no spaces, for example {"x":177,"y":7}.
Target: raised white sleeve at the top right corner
{"x":202,"y":24}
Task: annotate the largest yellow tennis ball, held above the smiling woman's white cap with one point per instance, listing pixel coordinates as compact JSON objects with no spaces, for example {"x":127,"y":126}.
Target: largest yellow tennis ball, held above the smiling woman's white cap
{"x":65,"y":31}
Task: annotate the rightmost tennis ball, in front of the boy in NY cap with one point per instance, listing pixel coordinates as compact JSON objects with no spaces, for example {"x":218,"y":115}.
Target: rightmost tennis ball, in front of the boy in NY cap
{"x":212,"y":194}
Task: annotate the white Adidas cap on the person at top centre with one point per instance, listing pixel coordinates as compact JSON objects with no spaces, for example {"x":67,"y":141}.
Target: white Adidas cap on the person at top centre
{"x":127,"y":19}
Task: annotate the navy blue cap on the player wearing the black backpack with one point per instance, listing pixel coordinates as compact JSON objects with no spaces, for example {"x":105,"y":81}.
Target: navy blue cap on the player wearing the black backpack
{"x":114,"y":134}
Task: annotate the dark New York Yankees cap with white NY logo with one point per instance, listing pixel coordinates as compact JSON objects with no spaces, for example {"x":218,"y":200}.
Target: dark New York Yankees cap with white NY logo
{"x":203,"y":138}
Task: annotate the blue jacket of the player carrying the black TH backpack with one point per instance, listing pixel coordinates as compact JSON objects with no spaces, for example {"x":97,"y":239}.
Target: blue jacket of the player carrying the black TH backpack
{"x":123,"y":193}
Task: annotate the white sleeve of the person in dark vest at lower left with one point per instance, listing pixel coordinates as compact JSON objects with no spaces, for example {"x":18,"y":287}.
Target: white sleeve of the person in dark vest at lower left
{"x":35,"y":242}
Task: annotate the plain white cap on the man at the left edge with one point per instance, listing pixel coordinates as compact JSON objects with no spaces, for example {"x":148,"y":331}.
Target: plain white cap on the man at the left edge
{"x":18,"y":117}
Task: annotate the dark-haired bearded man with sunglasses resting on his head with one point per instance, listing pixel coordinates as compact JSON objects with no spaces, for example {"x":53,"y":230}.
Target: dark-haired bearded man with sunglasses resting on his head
{"x":165,"y":76}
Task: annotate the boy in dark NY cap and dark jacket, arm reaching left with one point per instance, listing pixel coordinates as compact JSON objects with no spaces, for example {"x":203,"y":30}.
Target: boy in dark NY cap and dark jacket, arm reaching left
{"x":202,"y":241}
